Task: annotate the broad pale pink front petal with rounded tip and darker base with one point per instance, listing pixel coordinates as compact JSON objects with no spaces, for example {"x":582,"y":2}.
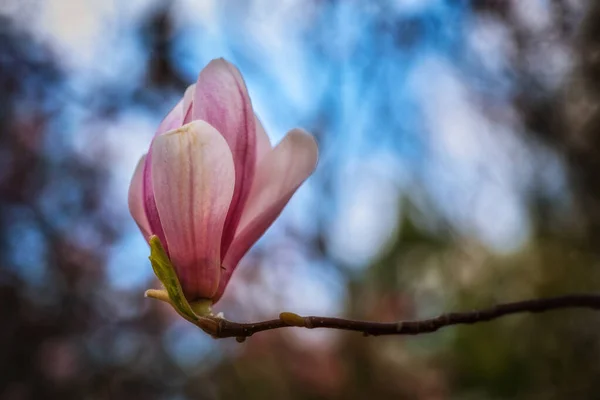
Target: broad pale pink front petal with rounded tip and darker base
{"x":193,"y":176}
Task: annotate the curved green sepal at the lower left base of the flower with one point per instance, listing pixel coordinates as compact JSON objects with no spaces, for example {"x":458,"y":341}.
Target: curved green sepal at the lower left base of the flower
{"x":165,"y":272}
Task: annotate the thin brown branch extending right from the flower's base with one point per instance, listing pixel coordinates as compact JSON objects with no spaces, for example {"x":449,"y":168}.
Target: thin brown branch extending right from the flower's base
{"x":224,"y":328}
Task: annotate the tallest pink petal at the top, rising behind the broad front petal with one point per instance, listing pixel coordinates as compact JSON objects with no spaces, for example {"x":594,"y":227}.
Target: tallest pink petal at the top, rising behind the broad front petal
{"x":222,"y":100}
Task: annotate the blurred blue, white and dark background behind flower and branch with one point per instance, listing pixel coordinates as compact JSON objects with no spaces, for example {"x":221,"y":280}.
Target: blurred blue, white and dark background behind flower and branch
{"x":460,"y":167}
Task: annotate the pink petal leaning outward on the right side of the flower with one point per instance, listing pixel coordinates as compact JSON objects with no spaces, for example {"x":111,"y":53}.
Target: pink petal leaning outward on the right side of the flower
{"x":278,"y":176}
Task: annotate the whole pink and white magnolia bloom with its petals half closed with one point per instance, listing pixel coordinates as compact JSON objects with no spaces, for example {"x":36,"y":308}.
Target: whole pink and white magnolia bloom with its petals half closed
{"x":211,"y":183}
